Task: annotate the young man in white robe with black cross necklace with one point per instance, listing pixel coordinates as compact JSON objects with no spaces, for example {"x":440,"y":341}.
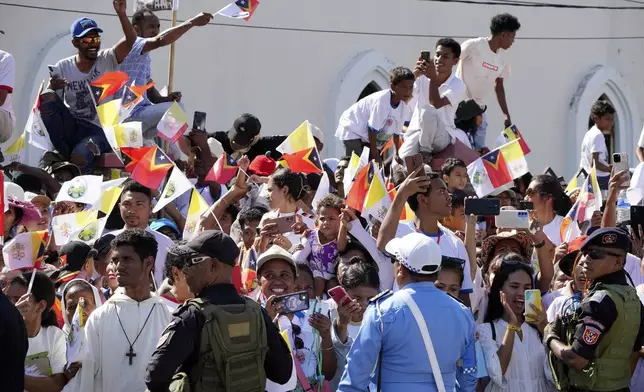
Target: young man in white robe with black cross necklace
{"x":122,"y":334}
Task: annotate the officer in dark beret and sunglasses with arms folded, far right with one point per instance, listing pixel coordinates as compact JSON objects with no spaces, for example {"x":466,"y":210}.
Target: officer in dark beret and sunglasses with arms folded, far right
{"x":607,"y":331}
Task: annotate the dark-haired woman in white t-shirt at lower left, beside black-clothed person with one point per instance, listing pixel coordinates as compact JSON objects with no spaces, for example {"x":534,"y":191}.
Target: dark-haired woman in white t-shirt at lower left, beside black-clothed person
{"x":46,"y":357}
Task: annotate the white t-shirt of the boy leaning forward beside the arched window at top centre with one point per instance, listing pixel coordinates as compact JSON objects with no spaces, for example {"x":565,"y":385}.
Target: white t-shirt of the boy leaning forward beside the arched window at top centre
{"x":373,"y":113}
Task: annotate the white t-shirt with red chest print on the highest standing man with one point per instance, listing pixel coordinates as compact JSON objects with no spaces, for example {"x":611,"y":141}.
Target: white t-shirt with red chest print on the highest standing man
{"x":479,"y":67}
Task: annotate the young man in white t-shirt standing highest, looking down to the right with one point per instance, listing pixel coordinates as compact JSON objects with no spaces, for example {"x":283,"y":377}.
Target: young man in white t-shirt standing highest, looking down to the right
{"x":485,"y":64}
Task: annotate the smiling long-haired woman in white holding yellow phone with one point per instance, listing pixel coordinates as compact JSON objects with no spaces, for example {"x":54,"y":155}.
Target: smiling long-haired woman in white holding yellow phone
{"x":514,"y":355}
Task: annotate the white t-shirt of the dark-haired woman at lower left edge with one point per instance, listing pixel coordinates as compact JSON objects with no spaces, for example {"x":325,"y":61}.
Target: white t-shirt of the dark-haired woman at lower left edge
{"x":46,"y":354}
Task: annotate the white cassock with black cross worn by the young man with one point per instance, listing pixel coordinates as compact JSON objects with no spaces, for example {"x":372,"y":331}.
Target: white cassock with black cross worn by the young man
{"x":109,"y":365}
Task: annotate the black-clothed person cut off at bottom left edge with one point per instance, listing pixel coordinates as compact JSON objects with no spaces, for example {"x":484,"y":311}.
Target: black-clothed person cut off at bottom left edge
{"x":13,"y":347}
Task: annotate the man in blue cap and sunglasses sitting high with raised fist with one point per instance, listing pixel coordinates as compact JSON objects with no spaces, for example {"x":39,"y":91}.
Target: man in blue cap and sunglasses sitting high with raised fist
{"x":67,"y":107}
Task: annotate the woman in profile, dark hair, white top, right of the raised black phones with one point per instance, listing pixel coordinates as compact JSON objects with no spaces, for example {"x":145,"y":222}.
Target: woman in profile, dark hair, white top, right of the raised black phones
{"x":551,"y":204}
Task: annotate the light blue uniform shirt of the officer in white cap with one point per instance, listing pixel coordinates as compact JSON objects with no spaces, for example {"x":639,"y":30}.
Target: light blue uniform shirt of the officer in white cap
{"x":405,"y":364}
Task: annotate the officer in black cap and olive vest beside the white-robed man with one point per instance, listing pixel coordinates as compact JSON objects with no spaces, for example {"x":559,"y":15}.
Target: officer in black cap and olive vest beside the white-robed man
{"x":201,"y":347}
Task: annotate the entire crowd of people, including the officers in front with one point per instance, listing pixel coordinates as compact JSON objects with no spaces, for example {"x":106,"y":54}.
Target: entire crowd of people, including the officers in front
{"x":285,"y":285}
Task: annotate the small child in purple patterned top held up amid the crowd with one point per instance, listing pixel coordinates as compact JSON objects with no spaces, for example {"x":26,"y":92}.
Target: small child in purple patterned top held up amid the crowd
{"x":320,"y":247}
